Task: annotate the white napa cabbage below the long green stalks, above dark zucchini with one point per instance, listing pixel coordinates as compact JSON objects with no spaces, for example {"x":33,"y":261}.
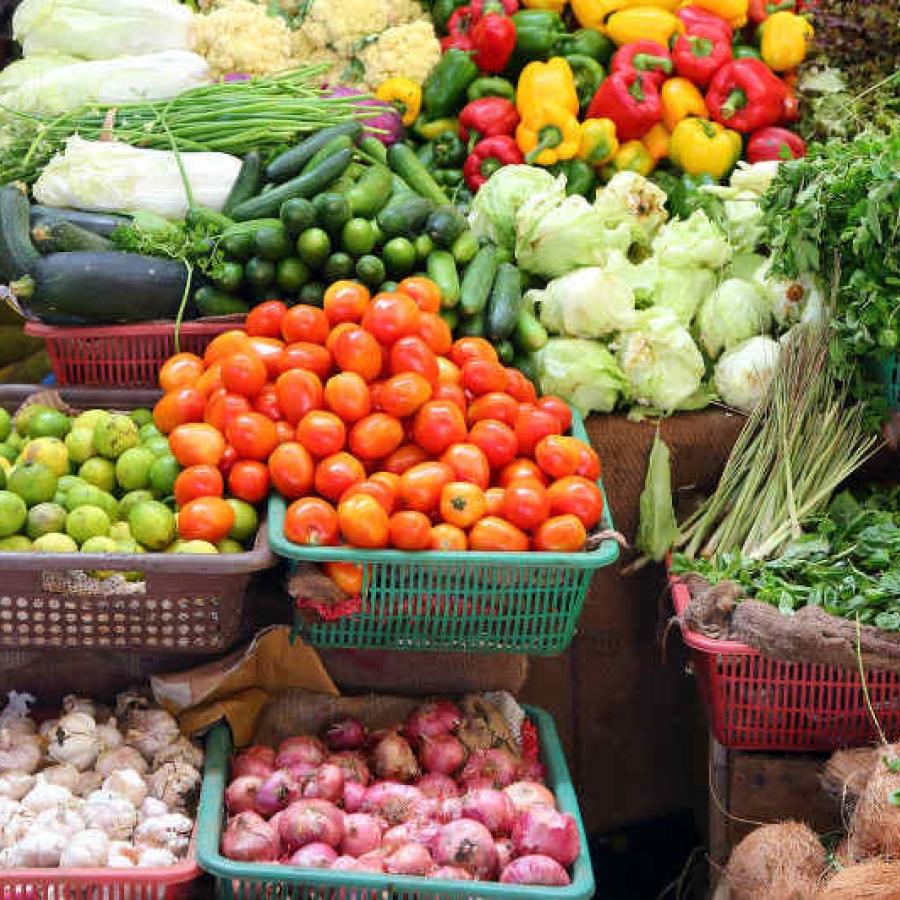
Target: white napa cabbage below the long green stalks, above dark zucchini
{"x":113,"y":177}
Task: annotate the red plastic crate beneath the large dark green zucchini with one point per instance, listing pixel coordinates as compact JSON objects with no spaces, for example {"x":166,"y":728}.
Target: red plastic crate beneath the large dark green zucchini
{"x":118,"y":355}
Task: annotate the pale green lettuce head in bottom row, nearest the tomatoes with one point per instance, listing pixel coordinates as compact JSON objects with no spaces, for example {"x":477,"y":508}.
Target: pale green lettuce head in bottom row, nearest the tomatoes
{"x":584,"y":373}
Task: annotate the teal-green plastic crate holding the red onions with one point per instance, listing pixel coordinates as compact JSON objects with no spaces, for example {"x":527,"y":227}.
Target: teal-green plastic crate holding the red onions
{"x":257,"y":881}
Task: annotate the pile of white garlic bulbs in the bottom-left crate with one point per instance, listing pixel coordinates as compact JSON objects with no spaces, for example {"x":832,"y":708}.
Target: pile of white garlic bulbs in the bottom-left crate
{"x":95,"y":787}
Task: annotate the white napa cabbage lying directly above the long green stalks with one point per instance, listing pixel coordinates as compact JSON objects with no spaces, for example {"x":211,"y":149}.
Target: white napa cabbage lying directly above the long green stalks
{"x":126,"y":79}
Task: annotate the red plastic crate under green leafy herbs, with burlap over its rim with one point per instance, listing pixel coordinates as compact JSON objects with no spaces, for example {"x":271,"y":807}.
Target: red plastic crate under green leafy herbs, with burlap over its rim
{"x":754,"y":702}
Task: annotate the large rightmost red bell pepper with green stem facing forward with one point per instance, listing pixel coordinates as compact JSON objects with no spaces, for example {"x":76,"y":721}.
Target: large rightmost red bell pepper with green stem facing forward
{"x":746,"y":95}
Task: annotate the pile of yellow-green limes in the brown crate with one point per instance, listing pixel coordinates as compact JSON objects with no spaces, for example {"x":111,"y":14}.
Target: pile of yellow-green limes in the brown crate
{"x":96,"y":482}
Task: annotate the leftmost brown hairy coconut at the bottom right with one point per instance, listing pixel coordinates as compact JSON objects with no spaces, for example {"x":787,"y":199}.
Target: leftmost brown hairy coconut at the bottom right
{"x":779,"y":862}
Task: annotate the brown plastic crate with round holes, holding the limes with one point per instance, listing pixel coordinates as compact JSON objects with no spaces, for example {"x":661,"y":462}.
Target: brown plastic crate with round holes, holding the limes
{"x":186,"y":604}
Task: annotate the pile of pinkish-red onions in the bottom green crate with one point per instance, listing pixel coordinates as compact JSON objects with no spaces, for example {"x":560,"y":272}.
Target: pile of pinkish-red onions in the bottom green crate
{"x":410,"y":800}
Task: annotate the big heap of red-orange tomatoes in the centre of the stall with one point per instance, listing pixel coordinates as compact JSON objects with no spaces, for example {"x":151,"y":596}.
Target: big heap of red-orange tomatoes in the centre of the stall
{"x":379,"y":429}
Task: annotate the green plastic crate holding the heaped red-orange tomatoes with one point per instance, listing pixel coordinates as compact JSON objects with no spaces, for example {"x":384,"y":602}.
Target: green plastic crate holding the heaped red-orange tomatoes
{"x":463,"y":601}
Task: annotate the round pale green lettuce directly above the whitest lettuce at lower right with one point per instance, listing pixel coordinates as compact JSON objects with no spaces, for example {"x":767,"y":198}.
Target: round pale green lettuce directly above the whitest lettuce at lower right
{"x":735,"y":311}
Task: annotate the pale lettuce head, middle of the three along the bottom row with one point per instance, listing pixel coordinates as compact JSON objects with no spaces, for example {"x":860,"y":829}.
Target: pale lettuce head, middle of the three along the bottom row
{"x":660,"y":360}
